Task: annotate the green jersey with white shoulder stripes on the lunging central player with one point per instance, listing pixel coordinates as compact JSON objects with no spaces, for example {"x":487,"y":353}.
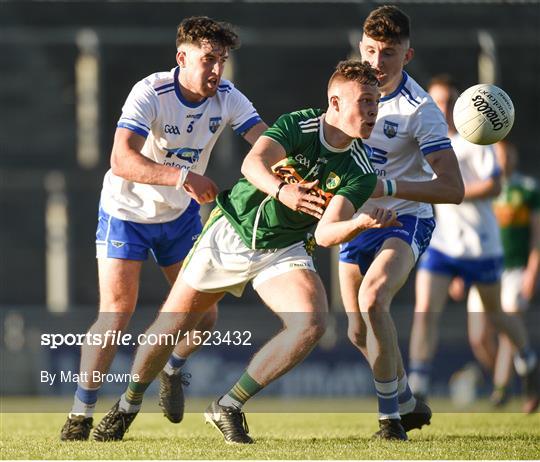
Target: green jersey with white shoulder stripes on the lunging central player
{"x":265,"y":223}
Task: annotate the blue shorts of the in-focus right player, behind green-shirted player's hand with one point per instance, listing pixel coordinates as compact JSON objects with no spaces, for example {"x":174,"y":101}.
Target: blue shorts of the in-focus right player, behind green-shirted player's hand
{"x":362,"y":249}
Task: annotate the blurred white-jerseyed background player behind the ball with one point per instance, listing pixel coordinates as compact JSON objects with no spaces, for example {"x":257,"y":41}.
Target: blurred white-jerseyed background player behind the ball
{"x":465,"y":244}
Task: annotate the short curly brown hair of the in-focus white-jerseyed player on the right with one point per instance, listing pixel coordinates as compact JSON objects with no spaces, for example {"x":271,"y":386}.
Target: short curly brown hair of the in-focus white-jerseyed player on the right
{"x":387,"y":24}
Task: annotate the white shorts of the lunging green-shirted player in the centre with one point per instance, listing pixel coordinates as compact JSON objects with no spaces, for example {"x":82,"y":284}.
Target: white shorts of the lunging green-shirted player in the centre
{"x":221,"y":262}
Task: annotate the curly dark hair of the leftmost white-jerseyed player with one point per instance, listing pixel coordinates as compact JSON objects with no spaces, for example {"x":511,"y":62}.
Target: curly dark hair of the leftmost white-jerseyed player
{"x":200,"y":28}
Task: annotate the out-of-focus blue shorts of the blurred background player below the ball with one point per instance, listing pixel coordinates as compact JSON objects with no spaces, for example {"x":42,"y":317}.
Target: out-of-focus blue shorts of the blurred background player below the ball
{"x":471,"y":270}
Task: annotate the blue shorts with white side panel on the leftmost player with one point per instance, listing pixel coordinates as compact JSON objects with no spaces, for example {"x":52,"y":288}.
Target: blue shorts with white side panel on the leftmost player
{"x":169,"y":242}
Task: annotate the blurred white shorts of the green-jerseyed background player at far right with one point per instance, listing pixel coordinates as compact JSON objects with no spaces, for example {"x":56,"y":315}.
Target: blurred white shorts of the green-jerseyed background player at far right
{"x":511,"y":299}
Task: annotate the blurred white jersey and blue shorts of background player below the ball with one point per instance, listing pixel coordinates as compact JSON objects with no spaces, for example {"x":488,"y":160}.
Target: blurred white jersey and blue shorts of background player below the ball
{"x":467,"y":240}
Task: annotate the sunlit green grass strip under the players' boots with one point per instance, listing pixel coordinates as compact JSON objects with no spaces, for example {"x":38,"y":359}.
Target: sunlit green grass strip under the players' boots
{"x":282,"y":436}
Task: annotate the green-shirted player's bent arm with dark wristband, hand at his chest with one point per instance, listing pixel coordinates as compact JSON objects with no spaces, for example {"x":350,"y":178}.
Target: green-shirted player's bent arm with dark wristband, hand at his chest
{"x":257,"y":168}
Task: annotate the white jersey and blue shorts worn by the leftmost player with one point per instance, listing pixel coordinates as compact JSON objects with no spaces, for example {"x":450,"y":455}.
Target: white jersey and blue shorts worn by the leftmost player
{"x":136,"y":218}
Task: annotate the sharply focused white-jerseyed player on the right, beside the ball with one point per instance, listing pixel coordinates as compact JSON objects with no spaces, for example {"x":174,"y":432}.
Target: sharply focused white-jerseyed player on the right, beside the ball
{"x":409,"y":144}
